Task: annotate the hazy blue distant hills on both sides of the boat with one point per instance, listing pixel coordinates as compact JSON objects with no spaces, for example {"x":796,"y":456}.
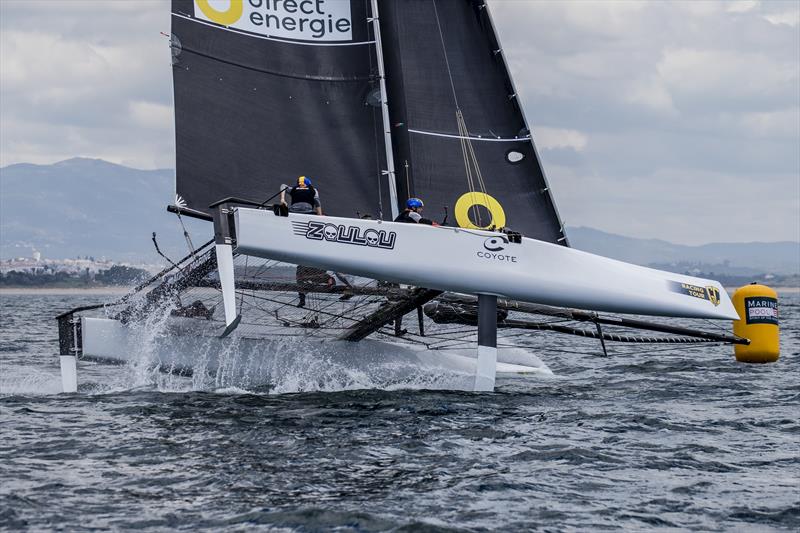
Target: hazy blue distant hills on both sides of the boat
{"x":93,"y":207}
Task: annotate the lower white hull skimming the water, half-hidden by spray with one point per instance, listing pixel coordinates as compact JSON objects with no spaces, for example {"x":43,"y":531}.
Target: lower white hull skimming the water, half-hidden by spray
{"x":293,"y":364}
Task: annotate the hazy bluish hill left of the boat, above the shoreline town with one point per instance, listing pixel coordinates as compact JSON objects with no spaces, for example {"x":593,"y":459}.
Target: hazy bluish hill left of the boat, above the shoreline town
{"x":88,"y":207}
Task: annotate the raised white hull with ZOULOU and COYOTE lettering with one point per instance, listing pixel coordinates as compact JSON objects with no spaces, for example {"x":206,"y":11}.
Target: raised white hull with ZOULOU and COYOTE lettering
{"x":477,"y":262}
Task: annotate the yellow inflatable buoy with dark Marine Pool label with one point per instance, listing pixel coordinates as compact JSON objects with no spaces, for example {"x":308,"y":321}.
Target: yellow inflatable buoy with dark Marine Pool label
{"x":757,"y":306}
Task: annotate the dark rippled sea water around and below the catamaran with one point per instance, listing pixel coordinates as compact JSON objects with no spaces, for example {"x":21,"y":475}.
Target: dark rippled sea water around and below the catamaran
{"x":650,"y":438}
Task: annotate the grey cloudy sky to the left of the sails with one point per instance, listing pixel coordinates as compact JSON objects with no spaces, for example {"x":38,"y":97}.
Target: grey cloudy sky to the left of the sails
{"x":74,"y":77}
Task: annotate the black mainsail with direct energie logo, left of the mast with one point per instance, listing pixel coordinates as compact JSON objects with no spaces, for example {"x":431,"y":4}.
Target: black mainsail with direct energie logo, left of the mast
{"x":269,"y":90}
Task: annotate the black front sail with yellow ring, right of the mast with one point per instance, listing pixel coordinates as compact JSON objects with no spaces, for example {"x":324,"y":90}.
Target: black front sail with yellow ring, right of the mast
{"x":460,"y":137}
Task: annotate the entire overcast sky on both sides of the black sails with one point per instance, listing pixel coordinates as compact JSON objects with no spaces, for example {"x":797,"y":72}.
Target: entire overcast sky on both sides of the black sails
{"x":677,"y":120}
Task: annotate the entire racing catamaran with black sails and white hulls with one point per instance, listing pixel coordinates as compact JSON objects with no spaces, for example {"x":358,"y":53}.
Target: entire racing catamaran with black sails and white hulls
{"x":378,"y":101}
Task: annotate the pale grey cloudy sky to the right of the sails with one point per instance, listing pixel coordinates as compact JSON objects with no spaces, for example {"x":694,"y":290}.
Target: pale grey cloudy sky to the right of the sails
{"x":690,"y":113}
